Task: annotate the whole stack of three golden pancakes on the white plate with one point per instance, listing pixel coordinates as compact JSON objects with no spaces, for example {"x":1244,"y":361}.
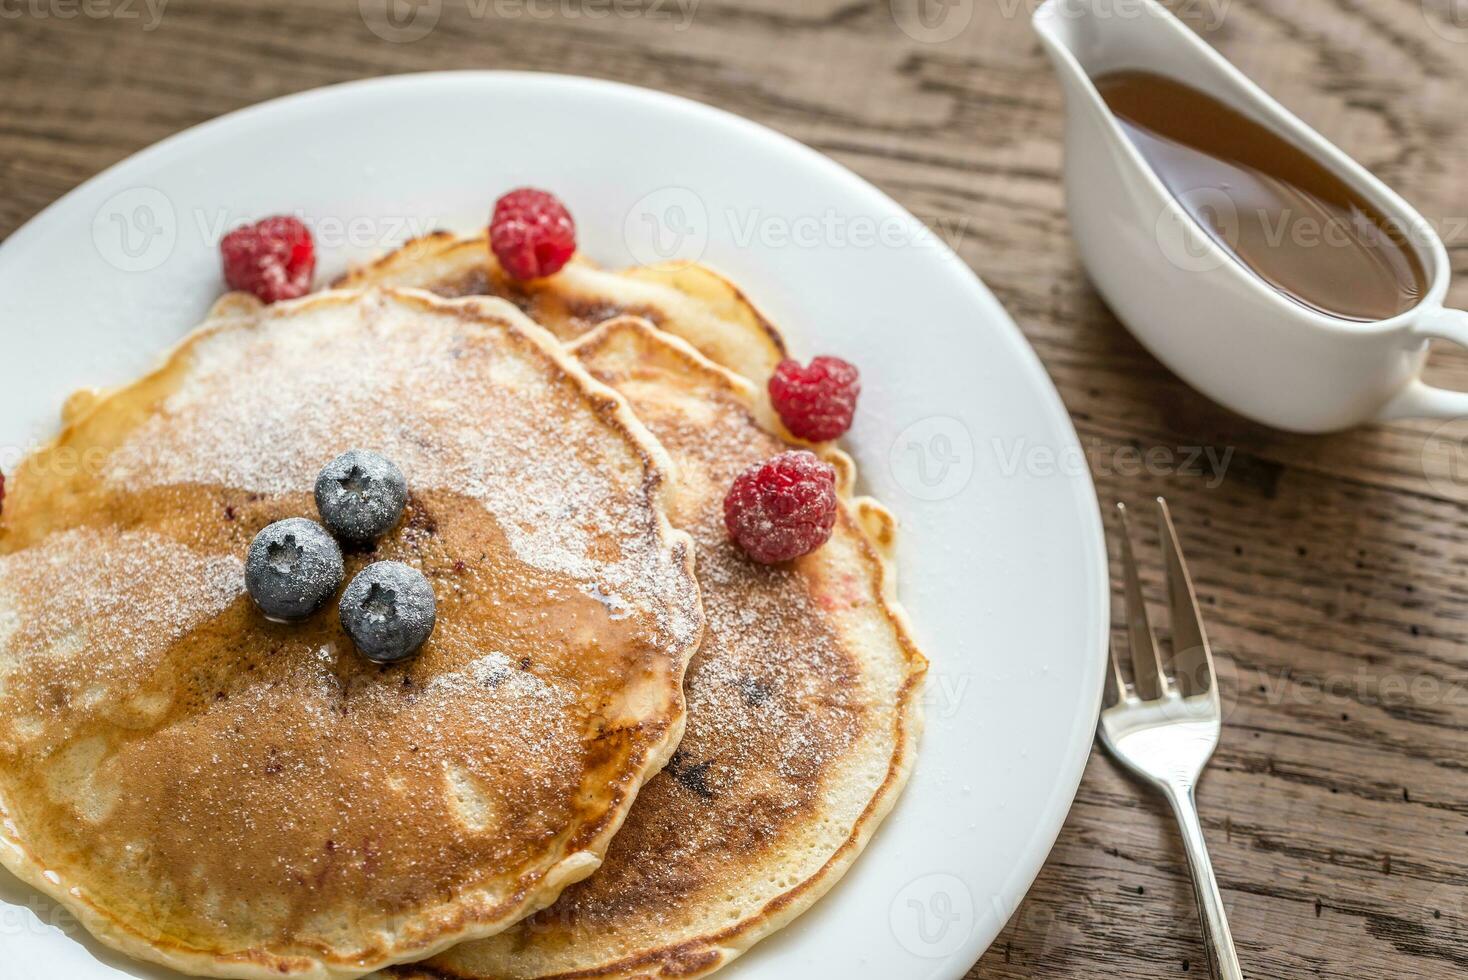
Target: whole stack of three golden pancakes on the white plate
{"x":628,"y":750}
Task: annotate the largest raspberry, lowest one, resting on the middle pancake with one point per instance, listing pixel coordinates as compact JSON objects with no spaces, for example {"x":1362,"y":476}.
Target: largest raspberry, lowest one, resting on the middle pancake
{"x":782,"y":508}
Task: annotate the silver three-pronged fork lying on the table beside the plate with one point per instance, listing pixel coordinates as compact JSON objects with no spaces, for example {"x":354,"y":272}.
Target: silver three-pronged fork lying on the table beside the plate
{"x":1166,"y":728}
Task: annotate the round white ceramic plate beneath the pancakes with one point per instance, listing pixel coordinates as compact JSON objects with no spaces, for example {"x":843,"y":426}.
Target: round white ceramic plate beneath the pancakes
{"x":961,"y":434}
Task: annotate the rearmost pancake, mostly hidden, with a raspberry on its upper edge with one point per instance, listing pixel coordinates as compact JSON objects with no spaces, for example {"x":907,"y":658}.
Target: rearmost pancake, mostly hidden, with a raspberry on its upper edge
{"x":686,"y":300}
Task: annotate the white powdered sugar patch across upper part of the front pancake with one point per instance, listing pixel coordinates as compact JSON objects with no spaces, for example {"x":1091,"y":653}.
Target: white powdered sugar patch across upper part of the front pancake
{"x":265,"y":409}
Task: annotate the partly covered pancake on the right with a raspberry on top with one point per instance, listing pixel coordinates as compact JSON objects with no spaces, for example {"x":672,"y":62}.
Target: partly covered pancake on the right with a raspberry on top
{"x":804,"y":714}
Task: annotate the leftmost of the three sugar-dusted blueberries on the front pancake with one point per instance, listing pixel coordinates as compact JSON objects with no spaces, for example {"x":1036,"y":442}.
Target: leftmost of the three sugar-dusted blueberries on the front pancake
{"x":293,"y":568}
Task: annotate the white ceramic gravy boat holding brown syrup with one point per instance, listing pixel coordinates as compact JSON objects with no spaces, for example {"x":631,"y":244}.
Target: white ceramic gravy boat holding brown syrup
{"x":1191,"y":303}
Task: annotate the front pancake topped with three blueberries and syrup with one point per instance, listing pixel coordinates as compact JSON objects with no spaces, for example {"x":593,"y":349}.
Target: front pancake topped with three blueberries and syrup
{"x":233,"y":797}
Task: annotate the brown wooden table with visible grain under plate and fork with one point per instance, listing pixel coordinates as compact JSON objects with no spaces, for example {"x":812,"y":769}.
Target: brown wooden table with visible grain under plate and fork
{"x":1332,"y":570}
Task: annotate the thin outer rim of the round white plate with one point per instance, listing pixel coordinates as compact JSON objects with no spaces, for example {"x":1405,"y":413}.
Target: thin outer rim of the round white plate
{"x":1069,"y":775}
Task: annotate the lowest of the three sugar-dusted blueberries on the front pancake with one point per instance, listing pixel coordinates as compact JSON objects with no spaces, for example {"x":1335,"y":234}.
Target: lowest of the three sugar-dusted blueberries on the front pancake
{"x":390,"y":611}
